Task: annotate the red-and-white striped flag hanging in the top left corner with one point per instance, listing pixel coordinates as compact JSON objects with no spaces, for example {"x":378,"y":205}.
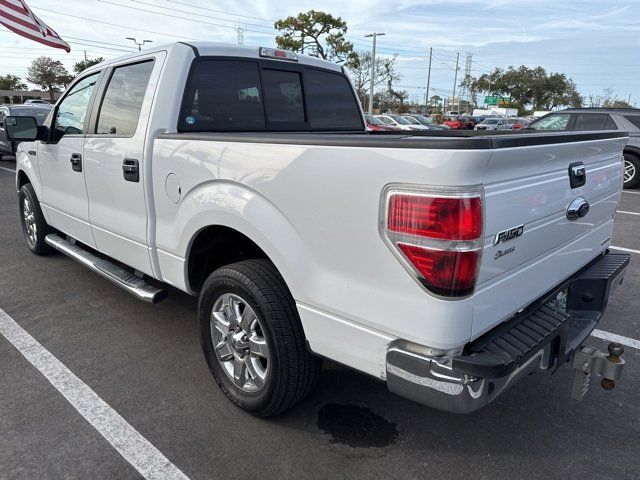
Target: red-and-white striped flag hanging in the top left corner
{"x":17,"y":17}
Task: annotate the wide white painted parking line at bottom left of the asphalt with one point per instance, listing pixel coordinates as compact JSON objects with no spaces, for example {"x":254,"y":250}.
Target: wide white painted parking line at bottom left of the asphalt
{"x":136,"y":449}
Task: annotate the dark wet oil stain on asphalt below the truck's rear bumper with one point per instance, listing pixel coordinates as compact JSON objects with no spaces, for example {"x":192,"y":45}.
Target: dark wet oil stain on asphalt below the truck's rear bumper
{"x":356,"y":426}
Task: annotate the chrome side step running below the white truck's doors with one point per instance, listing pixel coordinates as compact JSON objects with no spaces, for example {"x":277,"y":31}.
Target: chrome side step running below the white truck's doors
{"x":115,"y":274}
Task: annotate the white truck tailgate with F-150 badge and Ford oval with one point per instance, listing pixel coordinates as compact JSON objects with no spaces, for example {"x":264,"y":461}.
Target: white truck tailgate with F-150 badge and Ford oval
{"x":527,"y":193}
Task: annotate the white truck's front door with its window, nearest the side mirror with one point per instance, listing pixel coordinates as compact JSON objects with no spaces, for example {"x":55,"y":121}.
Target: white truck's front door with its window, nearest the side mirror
{"x":61,"y":163}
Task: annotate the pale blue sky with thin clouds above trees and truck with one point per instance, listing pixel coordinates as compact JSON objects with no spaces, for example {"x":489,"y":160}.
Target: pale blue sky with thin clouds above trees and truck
{"x":596,"y":43}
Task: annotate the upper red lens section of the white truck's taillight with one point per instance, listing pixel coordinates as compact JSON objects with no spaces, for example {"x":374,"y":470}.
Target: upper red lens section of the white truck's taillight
{"x":444,"y":218}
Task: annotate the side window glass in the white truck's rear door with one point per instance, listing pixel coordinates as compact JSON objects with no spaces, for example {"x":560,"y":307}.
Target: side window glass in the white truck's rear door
{"x":122,"y":101}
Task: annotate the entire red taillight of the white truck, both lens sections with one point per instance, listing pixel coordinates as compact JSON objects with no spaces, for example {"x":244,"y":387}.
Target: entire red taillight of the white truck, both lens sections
{"x":439,"y":236}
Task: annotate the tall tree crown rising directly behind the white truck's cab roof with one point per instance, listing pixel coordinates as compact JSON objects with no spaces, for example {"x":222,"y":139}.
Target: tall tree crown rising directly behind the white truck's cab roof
{"x":316,"y":33}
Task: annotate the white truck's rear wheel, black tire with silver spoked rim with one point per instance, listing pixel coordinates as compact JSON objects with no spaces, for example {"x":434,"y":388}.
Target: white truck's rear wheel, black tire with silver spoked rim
{"x":253,"y":339}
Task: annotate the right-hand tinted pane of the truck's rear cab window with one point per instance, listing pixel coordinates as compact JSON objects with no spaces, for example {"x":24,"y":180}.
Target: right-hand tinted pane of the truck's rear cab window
{"x":331,"y":103}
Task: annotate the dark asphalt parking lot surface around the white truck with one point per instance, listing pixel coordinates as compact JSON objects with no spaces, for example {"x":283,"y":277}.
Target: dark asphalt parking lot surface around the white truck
{"x":144,"y":361}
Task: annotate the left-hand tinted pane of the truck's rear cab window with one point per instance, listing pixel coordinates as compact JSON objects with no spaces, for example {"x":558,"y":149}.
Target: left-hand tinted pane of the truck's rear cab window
{"x":223,"y":95}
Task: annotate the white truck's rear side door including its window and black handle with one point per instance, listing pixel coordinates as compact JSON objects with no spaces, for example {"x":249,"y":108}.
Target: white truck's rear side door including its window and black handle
{"x":115,"y":163}
